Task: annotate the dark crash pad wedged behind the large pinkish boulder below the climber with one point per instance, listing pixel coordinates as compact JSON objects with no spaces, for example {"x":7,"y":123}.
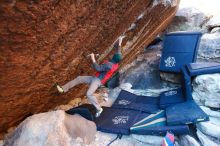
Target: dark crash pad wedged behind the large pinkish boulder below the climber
{"x":87,"y":111}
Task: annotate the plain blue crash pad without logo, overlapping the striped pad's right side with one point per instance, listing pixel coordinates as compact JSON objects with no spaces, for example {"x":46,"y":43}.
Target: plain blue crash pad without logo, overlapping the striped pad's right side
{"x":185,"y":113}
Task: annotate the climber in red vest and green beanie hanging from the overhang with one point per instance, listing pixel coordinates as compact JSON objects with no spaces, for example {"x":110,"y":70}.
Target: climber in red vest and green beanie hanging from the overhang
{"x":104,"y":72}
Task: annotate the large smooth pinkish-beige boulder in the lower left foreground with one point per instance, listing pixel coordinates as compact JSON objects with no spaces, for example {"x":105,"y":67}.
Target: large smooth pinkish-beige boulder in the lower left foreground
{"x":52,"y":128}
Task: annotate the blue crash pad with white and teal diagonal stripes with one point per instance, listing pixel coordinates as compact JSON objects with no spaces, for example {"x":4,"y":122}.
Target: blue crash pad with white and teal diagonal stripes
{"x":155,"y":124}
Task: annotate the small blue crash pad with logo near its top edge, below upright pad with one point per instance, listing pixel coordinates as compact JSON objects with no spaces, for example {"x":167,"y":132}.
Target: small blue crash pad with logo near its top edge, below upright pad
{"x":172,"y":97}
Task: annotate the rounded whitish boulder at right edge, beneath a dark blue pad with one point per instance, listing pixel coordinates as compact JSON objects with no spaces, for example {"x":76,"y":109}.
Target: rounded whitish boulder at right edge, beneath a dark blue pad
{"x":206,"y":90}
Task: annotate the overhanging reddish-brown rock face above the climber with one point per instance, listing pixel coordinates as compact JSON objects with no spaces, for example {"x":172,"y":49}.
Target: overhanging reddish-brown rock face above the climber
{"x":43,"y":42}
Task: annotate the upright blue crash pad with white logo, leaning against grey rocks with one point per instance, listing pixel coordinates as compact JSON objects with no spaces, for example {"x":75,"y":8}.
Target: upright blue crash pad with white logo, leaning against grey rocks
{"x":179,"y":48}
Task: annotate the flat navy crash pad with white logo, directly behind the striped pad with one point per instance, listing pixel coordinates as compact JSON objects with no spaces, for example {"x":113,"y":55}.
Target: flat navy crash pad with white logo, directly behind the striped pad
{"x":127,"y":100}
